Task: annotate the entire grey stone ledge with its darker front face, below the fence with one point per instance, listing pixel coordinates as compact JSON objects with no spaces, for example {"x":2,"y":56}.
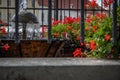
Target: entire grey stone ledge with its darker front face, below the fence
{"x":59,"y":69}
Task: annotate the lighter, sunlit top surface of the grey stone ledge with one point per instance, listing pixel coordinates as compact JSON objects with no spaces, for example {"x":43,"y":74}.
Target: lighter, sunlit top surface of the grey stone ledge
{"x":56,"y":62}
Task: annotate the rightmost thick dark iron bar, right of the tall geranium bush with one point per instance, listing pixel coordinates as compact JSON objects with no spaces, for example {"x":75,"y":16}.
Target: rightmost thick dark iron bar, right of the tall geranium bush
{"x":114,"y":30}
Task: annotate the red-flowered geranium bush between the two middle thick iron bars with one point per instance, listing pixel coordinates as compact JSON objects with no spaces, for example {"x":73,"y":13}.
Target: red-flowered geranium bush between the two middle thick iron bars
{"x":67,"y":29}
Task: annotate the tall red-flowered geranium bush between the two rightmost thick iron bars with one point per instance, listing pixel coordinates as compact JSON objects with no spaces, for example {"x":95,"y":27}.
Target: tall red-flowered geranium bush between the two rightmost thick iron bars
{"x":98,"y":35}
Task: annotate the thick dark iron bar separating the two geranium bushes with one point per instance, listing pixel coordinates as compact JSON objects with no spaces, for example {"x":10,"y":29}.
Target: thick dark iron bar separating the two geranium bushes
{"x":82,"y":22}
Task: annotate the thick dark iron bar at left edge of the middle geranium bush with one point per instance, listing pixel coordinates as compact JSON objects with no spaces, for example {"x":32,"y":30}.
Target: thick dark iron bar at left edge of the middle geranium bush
{"x":49,"y":20}
